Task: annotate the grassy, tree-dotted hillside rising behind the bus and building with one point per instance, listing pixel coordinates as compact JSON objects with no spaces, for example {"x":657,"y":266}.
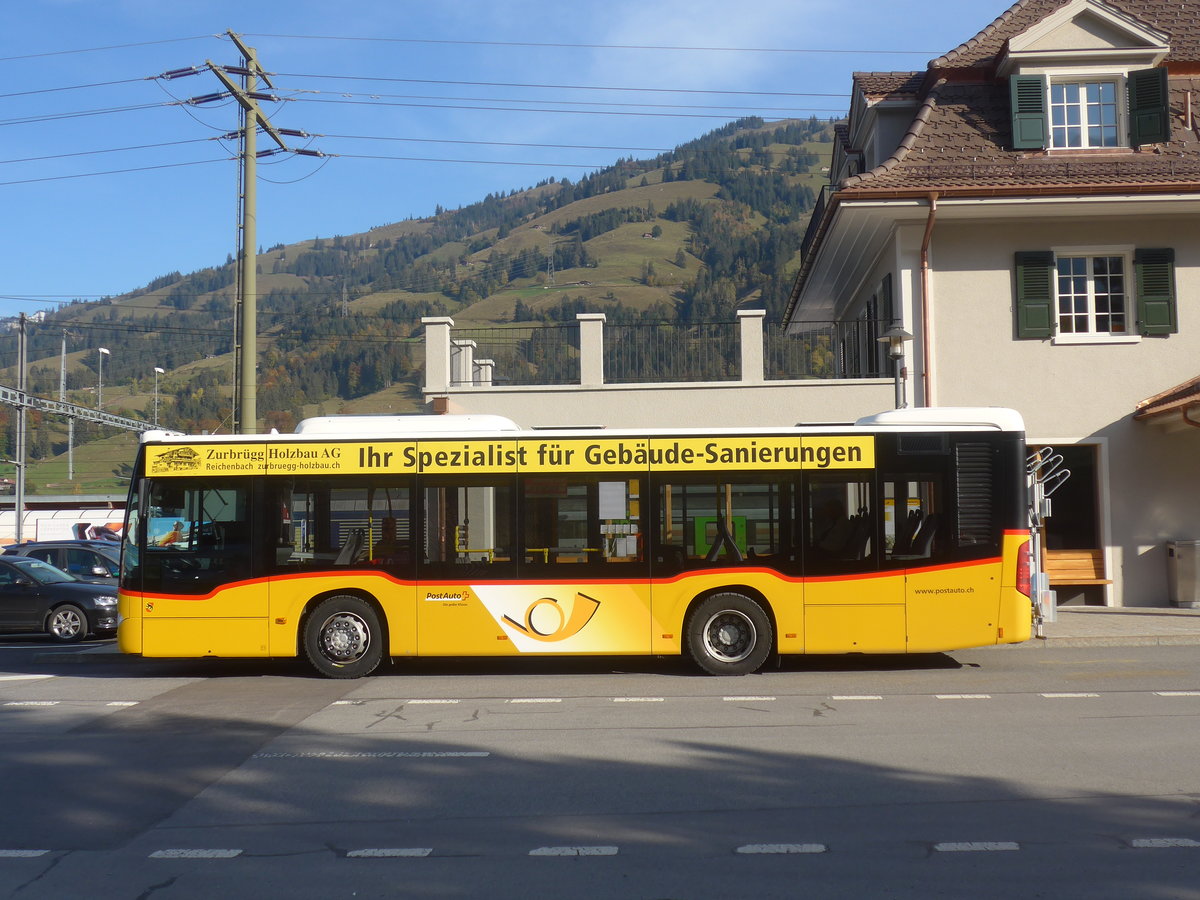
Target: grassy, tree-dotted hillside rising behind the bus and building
{"x":686,"y":237}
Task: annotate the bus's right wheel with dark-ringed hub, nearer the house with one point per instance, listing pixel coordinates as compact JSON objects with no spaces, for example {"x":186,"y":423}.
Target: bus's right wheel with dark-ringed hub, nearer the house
{"x":729,"y":634}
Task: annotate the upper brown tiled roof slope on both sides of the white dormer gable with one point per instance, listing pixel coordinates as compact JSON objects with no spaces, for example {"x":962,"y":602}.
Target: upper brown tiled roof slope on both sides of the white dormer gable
{"x":1178,"y":19}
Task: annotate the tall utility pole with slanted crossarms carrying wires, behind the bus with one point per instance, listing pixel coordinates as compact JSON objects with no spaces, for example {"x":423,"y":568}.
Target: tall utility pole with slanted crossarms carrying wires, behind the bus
{"x":248,"y":95}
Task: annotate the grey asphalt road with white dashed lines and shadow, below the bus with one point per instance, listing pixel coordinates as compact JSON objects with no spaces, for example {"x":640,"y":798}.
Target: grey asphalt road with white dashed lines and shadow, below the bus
{"x":977,"y":775}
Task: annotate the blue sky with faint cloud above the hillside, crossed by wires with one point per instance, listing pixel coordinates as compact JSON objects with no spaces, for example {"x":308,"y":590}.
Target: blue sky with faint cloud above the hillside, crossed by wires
{"x":393,"y":80}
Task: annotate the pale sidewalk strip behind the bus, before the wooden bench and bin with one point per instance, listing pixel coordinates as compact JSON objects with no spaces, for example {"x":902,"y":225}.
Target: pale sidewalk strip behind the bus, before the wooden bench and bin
{"x":1120,"y":627}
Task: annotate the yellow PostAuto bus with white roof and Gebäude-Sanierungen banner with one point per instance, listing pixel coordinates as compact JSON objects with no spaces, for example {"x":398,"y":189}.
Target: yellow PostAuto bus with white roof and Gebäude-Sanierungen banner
{"x":359,"y":539}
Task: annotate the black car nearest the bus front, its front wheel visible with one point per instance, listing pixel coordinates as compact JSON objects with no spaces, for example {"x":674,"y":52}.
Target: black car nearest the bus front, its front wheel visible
{"x":38,"y":598}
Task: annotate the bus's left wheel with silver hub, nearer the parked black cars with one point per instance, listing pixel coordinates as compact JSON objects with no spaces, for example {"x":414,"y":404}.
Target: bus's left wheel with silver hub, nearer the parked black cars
{"x":343,"y":638}
